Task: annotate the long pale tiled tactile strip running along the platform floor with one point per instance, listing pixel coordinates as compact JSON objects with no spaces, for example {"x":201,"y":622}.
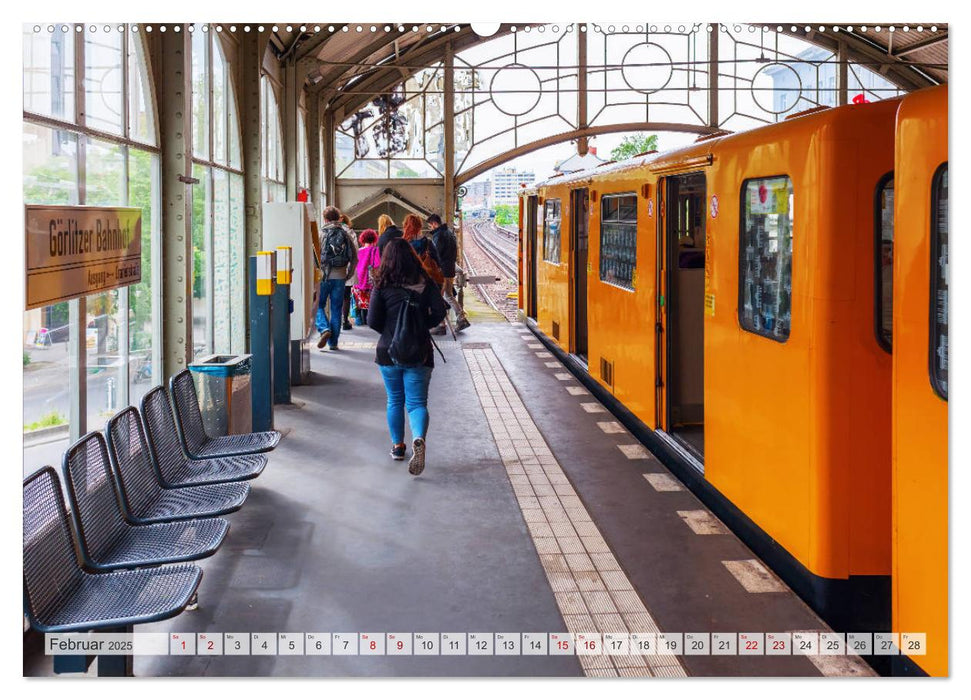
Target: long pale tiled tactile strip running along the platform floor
{"x":591,"y":590}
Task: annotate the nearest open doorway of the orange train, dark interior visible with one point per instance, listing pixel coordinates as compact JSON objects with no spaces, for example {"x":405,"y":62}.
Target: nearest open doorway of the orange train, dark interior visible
{"x":681,"y":327}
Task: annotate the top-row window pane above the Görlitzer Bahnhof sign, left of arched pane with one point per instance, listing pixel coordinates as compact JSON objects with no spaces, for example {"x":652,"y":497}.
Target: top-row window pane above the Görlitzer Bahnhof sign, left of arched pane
{"x":103,"y":80}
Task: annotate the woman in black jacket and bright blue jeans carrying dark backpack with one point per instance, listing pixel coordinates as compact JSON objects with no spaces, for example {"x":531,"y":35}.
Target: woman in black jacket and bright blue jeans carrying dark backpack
{"x":405,"y":305}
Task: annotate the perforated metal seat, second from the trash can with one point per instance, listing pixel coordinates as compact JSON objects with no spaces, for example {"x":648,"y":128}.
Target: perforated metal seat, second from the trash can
{"x":173,"y":467}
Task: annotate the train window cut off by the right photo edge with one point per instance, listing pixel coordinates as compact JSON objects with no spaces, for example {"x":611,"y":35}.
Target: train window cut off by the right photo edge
{"x":940,"y":277}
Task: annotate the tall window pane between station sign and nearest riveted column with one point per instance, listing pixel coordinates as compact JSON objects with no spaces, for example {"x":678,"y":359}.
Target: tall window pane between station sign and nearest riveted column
{"x":142,"y":186}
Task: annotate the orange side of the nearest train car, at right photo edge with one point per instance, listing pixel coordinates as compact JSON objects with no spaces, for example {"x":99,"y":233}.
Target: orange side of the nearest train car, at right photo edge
{"x":920,"y":413}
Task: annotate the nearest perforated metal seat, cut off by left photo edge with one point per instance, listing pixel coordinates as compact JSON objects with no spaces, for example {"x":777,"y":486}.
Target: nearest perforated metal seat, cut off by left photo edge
{"x":59,"y":596}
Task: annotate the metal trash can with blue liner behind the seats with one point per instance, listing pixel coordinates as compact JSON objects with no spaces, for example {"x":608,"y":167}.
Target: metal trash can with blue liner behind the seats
{"x":224,"y":389}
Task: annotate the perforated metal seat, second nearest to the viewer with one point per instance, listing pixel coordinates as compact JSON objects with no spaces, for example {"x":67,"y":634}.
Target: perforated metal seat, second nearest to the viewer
{"x":107,"y":540}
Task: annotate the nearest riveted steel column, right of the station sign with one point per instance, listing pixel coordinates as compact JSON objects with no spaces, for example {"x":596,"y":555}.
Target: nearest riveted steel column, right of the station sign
{"x":175,"y":110}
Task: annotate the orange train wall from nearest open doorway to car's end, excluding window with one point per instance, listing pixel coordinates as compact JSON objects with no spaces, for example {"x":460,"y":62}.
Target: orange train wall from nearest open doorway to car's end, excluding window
{"x":797,"y":432}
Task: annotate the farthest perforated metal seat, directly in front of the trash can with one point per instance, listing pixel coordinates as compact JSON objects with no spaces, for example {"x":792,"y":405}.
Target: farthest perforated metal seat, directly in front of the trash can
{"x":192,"y":431}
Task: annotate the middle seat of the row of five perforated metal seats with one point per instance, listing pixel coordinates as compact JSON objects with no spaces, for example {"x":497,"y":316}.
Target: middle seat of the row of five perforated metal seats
{"x":142,"y":496}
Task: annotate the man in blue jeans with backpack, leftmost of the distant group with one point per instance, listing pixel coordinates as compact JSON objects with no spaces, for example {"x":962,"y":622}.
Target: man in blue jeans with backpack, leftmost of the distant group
{"x":338,"y":259}
